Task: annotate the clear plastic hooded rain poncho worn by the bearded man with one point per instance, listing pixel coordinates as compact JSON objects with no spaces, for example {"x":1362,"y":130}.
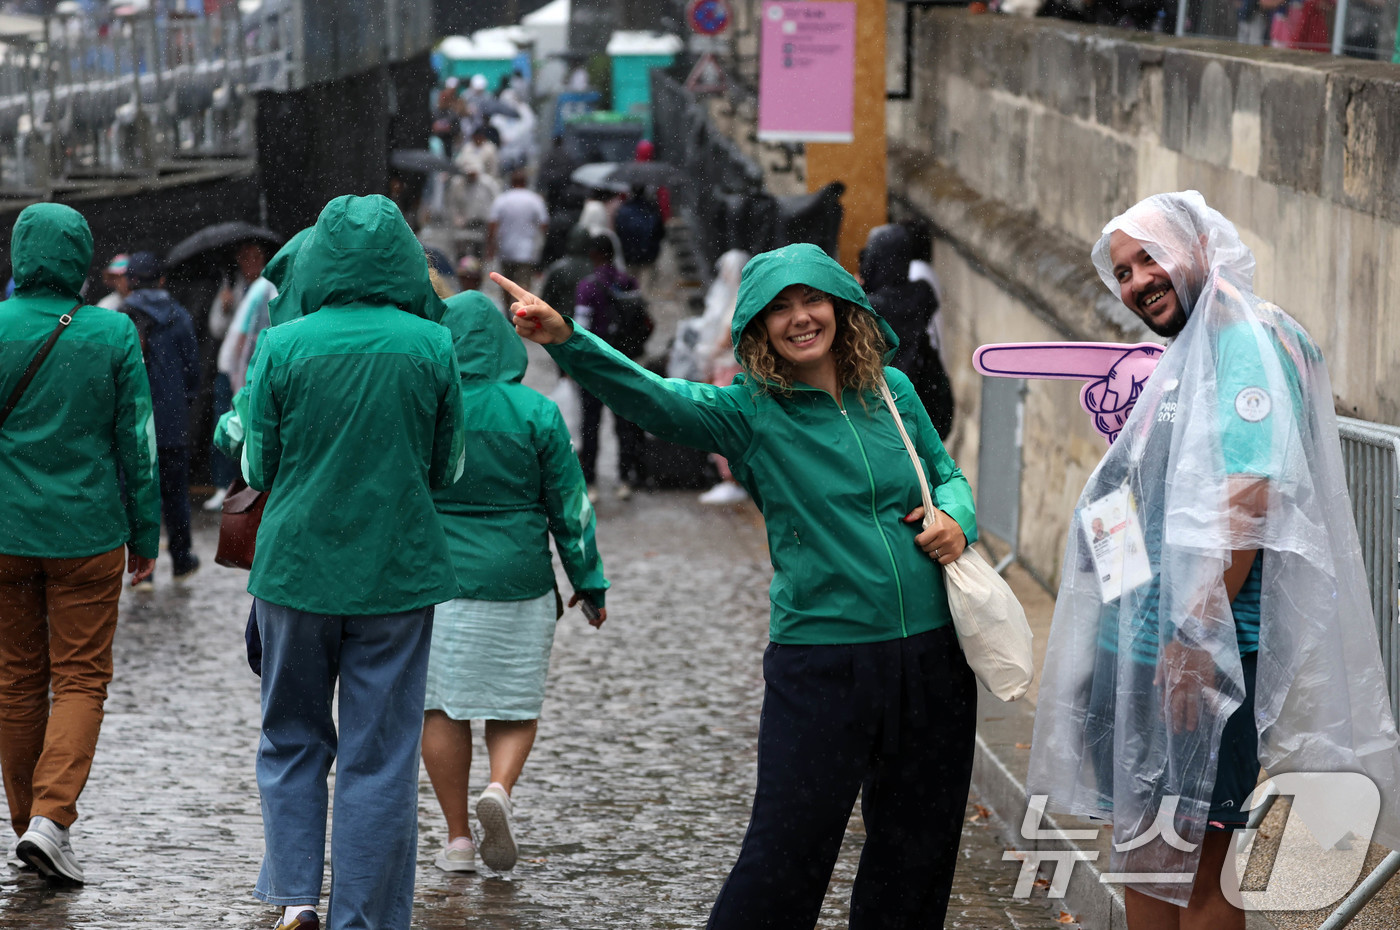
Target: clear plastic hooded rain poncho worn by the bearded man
{"x":1231,"y":446}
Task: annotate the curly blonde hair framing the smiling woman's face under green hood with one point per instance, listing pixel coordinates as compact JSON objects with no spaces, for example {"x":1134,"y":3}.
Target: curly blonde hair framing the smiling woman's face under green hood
{"x":859,"y":348}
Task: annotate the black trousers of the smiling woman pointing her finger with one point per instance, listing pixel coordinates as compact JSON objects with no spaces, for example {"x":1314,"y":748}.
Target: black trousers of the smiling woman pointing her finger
{"x":892,"y":721}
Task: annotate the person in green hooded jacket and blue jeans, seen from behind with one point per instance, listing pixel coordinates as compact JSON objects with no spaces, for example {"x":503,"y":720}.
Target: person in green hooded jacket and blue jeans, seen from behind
{"x":355,"y":415}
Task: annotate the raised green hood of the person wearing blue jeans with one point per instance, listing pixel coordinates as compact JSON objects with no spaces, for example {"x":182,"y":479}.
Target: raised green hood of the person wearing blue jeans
{"x":362,"y":251}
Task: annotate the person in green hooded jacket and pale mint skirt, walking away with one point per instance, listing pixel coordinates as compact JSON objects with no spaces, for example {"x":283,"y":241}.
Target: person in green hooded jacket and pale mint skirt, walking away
{"x":492,"y":642}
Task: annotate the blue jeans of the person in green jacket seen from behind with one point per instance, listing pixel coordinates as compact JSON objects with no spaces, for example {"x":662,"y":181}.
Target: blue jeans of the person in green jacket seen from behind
{"x":381,"y":665}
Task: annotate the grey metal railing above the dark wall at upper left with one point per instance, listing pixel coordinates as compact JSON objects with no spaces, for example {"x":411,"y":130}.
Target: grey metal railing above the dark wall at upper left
{"x":87,"y":99}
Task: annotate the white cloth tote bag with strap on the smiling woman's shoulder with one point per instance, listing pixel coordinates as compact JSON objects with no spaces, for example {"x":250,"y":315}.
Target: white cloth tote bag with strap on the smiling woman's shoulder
{"x":990,"y":623}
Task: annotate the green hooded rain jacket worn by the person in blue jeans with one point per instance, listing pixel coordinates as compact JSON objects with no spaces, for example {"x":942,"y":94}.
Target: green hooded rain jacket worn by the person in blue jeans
{"x":353,"y":415}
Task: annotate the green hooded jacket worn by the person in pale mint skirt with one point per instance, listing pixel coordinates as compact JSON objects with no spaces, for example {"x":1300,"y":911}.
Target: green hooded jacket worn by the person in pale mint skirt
{"x":526,"y":481}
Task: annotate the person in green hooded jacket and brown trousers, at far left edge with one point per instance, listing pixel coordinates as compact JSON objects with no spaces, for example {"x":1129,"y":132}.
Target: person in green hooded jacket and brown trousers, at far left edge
{"x":80,"y":429}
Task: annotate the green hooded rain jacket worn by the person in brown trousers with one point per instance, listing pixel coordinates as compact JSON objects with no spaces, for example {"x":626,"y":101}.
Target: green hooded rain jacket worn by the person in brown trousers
{"x":86,"y":418}
